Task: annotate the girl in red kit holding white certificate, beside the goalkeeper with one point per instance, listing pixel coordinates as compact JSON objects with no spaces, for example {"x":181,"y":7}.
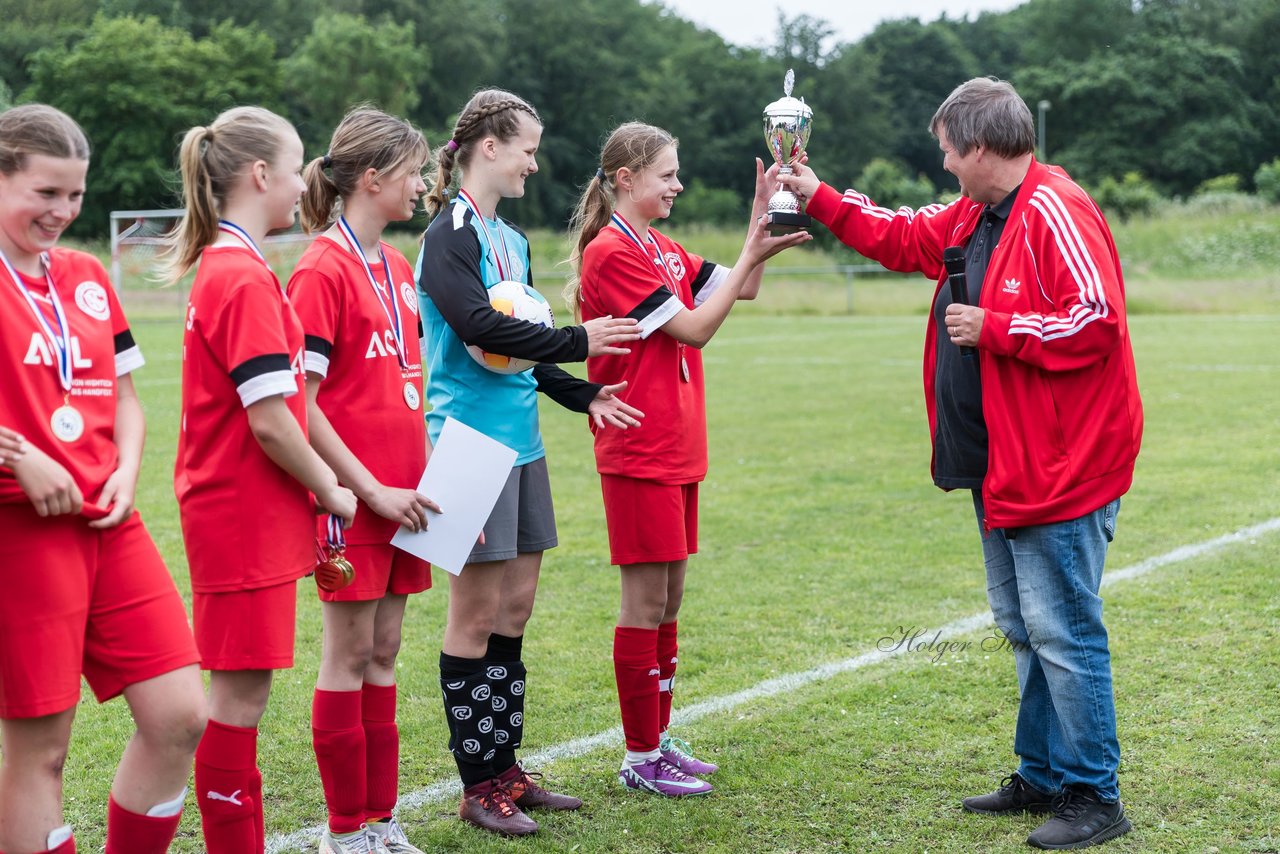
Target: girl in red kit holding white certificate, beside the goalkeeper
{"x":359,"y":310}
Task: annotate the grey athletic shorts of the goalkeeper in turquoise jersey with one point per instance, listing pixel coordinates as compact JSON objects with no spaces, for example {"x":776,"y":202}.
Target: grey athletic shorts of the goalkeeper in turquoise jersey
{"x":523,"y":520}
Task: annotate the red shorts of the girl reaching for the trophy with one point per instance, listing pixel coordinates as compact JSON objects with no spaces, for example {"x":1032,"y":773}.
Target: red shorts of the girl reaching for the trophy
{"x":650,"y":523}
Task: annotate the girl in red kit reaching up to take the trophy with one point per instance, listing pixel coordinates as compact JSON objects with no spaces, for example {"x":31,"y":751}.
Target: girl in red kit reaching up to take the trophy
{"x":651,"y":476}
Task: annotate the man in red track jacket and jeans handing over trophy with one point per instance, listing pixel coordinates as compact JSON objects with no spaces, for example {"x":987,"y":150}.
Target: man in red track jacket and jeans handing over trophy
{"x":1039,"y":415}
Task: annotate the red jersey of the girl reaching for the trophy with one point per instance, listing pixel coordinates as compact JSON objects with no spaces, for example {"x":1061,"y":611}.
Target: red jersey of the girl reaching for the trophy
{"x":651,"y":285}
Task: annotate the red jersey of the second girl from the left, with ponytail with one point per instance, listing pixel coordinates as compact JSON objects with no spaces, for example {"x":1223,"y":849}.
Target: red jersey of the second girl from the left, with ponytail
{"x":246,"y":523}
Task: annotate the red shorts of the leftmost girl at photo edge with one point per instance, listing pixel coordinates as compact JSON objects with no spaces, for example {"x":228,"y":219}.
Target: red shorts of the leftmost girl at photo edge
{"x":76,"y":600}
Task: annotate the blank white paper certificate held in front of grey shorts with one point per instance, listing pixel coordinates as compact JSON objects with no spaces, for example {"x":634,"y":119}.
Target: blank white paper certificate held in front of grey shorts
{"x":465,"y":477}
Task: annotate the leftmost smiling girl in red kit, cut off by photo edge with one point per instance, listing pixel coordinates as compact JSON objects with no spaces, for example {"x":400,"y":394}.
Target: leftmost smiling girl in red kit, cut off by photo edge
{"x":85,"y":590}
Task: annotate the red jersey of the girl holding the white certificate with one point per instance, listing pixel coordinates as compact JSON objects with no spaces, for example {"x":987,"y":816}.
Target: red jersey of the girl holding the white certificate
{"x":373,"y":403}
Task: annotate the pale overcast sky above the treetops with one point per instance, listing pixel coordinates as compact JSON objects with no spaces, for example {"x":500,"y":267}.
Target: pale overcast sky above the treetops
{"x":755,"y":22}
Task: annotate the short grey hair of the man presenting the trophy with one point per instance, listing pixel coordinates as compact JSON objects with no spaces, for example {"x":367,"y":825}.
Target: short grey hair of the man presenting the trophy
{"x":990,"y":113}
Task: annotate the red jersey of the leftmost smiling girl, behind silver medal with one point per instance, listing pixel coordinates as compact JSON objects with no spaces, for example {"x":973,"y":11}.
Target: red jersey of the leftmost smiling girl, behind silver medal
{"x":102,"y":349}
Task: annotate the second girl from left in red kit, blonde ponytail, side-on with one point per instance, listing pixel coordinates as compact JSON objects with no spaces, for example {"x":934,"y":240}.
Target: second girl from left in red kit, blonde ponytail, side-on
{"x":246,"y":474}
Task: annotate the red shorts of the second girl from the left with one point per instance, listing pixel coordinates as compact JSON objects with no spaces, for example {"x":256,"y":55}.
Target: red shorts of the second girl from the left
{"x":246,"y":629}
